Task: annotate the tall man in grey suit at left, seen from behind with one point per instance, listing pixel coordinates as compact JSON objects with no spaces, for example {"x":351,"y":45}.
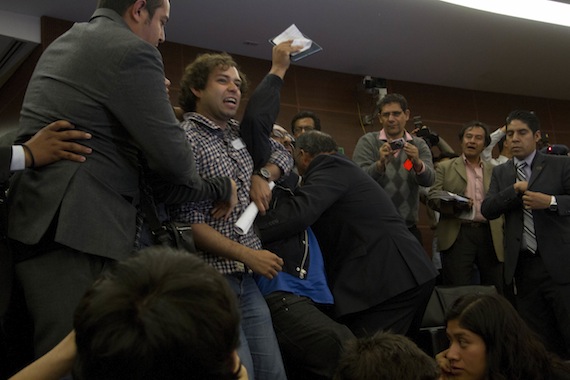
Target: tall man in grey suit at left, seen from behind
{"x":70,"y":221}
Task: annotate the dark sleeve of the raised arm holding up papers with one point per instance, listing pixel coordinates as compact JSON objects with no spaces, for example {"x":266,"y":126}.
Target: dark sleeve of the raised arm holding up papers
{"x":259,"y":117}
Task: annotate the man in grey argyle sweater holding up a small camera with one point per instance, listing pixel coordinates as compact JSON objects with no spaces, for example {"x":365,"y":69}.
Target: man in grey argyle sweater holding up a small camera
{"x":398,"y":161}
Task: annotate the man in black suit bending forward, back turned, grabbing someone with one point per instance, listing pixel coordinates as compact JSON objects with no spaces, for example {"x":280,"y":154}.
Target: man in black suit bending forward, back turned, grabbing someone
{"x":379,"y":274}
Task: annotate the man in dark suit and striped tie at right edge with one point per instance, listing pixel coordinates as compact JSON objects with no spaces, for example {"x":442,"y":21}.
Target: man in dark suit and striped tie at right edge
{"x":539,"y":265}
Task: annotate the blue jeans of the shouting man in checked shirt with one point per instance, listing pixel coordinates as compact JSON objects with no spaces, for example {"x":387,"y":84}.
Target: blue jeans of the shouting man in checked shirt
{"x":258,"y":350}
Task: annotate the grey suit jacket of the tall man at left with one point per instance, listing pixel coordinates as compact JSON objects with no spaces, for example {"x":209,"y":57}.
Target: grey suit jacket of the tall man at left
{"x":107,"y":81}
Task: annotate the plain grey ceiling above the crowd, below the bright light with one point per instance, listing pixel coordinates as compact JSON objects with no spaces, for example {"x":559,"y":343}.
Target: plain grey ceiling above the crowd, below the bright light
{"x":425,"y":41}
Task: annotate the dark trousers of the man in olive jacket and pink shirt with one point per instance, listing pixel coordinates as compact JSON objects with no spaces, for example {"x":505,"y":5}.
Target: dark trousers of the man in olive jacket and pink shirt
{"x":473,"y":246}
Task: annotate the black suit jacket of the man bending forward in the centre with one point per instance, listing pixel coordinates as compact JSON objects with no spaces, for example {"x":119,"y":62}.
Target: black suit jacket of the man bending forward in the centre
{"x":370,"y":256}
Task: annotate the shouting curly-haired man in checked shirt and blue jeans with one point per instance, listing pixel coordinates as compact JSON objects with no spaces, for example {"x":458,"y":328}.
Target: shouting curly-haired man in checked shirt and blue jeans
{"x":211,"y":92}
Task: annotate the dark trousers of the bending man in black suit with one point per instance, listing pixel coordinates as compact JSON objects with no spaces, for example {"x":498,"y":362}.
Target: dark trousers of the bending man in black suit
{"x":401,"y":314}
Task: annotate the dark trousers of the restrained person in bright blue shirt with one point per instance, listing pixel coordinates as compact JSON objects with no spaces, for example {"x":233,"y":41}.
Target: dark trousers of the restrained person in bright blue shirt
{"x":310,"y":341}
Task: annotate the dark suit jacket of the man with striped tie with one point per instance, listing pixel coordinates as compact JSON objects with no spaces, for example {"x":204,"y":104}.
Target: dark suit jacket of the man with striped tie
{"x":550,"y":175}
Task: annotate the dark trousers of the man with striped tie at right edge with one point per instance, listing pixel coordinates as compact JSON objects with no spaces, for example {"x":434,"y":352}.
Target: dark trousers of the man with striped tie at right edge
{"x":543,"y":304}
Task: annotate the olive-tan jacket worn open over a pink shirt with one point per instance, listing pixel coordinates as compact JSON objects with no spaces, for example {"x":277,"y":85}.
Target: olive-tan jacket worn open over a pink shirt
{"x":451,"y":176}
